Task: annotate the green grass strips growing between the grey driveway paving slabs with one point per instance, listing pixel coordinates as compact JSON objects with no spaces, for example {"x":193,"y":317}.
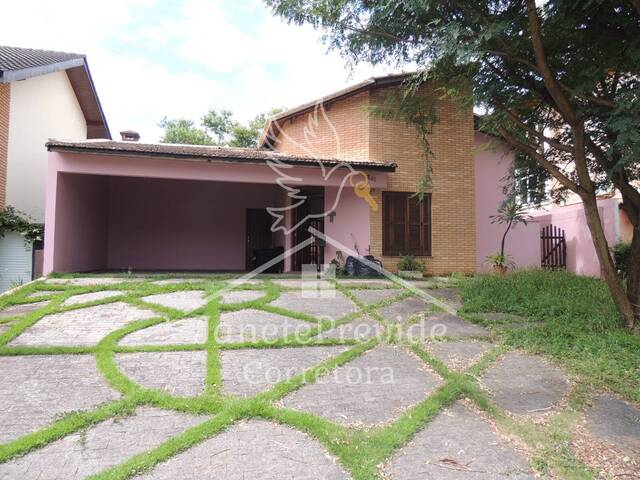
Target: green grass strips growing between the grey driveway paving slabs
{"x":360,"y":451}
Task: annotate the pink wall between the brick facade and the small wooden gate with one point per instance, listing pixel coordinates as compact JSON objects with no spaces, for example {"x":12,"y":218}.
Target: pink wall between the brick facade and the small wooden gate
{"x":492,"y":164}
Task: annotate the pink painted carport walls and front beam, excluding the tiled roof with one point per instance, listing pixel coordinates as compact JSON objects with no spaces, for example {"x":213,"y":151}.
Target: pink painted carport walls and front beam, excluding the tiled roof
{"x":119,"y":211}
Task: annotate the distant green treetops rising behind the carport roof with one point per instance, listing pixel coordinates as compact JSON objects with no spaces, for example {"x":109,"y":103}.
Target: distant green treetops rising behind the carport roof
{"x":218,"y":128}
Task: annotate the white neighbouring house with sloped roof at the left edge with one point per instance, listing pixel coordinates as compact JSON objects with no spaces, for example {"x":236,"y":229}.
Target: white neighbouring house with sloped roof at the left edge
{"x":43,"y":94}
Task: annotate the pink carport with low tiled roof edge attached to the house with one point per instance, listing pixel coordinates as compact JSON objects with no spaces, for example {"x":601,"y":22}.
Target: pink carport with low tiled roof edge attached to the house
{"x":133,"y":206}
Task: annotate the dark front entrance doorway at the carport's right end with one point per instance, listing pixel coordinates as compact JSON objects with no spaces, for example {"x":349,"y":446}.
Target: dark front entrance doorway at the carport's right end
{"x":312,"y":254}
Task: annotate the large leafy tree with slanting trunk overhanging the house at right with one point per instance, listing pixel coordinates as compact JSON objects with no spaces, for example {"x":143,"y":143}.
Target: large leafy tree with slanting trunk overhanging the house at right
{"x":560,"y":83}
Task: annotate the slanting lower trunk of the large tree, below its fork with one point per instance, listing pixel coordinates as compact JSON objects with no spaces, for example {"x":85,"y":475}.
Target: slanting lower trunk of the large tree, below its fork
{"x":607,"y":264}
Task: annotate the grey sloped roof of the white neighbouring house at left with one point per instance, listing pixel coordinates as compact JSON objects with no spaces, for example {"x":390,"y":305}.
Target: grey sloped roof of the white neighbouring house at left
{"x":22,"y":63}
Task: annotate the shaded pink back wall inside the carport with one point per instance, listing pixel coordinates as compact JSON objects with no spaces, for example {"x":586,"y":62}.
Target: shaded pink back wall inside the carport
{"x":204,"y":230}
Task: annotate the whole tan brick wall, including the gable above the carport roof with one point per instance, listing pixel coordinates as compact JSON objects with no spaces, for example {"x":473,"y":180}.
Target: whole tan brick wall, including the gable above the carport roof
{"x":364,"y":136}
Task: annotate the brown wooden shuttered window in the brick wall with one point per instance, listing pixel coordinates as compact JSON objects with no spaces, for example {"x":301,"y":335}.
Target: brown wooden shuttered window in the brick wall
{"x":406,"y":224}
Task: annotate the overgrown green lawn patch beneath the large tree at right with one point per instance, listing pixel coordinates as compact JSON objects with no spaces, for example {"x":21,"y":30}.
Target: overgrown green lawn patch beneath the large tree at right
{"x":576,"y":324}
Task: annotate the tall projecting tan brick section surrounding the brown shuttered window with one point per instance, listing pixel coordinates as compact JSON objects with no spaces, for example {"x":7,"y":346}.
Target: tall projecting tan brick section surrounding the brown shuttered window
{"x":453,"y":196}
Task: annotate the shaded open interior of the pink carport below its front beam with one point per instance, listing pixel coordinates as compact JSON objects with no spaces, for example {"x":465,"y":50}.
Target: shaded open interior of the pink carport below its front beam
{"x":122,"y":223}
